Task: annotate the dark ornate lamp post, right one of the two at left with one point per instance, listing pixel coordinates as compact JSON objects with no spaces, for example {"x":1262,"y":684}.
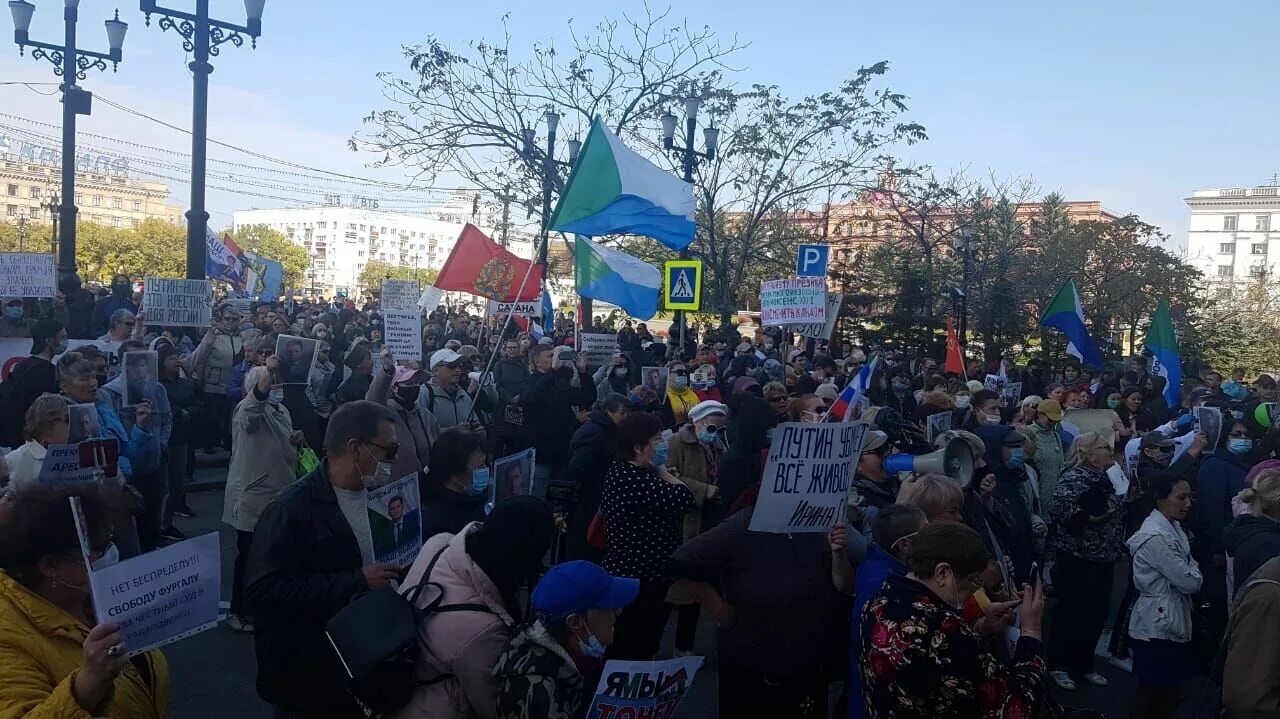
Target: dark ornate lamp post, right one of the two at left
{"x":203,"y":36}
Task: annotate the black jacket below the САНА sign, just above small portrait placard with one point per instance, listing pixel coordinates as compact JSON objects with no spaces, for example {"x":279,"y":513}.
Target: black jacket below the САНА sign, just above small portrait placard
{"x":550,"y":422}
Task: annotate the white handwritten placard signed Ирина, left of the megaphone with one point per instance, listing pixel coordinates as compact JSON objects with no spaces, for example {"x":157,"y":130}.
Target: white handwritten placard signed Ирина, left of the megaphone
{"x":807,"y":477}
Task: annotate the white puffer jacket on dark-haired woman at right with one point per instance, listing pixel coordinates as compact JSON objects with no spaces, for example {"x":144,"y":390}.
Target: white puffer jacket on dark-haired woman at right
{"x":1167,"y":576}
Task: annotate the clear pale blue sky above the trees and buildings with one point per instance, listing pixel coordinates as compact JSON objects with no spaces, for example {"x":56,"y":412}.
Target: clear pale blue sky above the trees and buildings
{"x":1132,"y":103}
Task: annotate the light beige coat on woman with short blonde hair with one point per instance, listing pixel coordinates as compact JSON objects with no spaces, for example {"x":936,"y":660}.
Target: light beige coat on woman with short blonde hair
{"x":263,"y":460}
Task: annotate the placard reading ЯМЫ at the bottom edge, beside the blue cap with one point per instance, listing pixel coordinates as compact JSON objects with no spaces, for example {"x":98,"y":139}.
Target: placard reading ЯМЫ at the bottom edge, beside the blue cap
{"x":630,"y":690}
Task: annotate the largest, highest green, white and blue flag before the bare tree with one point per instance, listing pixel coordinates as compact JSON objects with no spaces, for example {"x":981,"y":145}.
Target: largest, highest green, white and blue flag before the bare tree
{"x":615,"y":191}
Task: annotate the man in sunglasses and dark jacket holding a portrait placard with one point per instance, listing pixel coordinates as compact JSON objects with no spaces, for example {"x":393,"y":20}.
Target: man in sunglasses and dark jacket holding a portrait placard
{"x":312,"y":553}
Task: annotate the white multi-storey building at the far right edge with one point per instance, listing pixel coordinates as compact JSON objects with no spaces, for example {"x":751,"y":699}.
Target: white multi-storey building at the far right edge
{"x":1235,"y":236}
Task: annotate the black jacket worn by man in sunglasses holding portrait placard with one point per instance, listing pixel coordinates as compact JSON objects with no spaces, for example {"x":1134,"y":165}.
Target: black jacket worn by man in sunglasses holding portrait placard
{"x":303,"y":569}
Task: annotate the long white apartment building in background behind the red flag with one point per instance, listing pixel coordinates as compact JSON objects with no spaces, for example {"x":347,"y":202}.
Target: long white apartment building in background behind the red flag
{"x":341,"y":241}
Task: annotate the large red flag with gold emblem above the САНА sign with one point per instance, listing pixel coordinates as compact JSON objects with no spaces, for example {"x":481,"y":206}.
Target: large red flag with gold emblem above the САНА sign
{"x":482,"y":267}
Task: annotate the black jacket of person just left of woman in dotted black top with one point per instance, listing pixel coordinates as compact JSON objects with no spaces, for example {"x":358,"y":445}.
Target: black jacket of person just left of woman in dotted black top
{"x":589,"y":455}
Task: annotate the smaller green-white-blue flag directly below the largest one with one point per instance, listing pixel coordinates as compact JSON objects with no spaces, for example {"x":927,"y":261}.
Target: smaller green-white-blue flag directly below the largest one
{"x":609,"y":276}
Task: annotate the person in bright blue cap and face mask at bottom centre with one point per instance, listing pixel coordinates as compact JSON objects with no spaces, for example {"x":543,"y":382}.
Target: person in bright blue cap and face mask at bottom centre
{"x":551,"y":666}
